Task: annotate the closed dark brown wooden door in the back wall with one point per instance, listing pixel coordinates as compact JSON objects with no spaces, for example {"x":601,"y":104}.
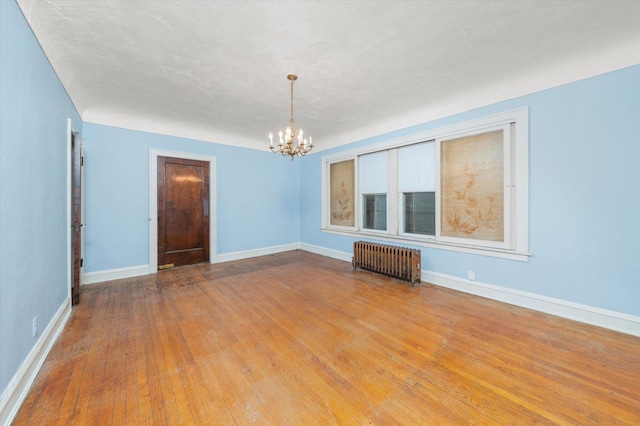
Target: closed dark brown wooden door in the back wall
{"x":183,"y":212}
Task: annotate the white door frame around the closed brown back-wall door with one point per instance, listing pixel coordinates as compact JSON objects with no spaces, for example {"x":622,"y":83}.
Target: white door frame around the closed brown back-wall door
{"x":153,"y":202}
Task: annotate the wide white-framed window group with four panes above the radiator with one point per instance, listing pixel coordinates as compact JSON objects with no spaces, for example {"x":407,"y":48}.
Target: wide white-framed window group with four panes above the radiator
{"x":462,"y":188}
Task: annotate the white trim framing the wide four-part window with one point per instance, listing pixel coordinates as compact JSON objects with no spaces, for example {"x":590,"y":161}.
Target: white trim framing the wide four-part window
{"x":518,"y":228}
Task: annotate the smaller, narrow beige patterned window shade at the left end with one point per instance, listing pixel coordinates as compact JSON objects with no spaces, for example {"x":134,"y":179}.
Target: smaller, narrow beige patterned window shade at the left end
{"x":342,"y":193}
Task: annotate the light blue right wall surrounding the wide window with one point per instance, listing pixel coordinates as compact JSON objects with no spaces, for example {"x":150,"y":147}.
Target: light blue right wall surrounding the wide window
{"x":584,"y":196}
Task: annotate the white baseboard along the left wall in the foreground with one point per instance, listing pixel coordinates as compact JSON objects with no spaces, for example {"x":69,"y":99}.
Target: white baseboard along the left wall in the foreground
{"x":16,"y":392}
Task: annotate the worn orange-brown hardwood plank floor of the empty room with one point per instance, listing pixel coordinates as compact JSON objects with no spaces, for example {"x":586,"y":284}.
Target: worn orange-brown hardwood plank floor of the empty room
{"x":297,"y":338}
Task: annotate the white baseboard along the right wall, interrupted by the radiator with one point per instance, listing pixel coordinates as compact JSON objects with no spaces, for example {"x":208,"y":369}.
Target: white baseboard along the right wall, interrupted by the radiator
{"x":611,"y":320}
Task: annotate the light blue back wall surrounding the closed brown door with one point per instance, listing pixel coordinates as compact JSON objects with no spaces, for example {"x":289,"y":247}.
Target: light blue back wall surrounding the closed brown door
{"x":258,"y":205}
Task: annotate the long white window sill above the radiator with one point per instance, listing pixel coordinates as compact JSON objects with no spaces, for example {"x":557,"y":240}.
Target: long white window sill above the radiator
{"x":432,"y":243}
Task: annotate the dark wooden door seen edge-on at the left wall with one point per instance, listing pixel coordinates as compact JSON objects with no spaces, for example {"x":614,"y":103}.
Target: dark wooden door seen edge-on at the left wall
{"x":76,"y":216}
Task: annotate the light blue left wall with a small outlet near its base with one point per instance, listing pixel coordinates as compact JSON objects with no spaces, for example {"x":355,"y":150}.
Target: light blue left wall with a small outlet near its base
{"x":34,"y":109}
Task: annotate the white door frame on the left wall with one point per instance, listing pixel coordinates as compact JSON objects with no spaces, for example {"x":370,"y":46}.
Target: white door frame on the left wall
{"x":71,"y":130}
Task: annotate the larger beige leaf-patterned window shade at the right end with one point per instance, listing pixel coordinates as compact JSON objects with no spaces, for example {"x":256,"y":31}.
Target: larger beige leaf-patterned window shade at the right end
{"x":472,"y":187}
